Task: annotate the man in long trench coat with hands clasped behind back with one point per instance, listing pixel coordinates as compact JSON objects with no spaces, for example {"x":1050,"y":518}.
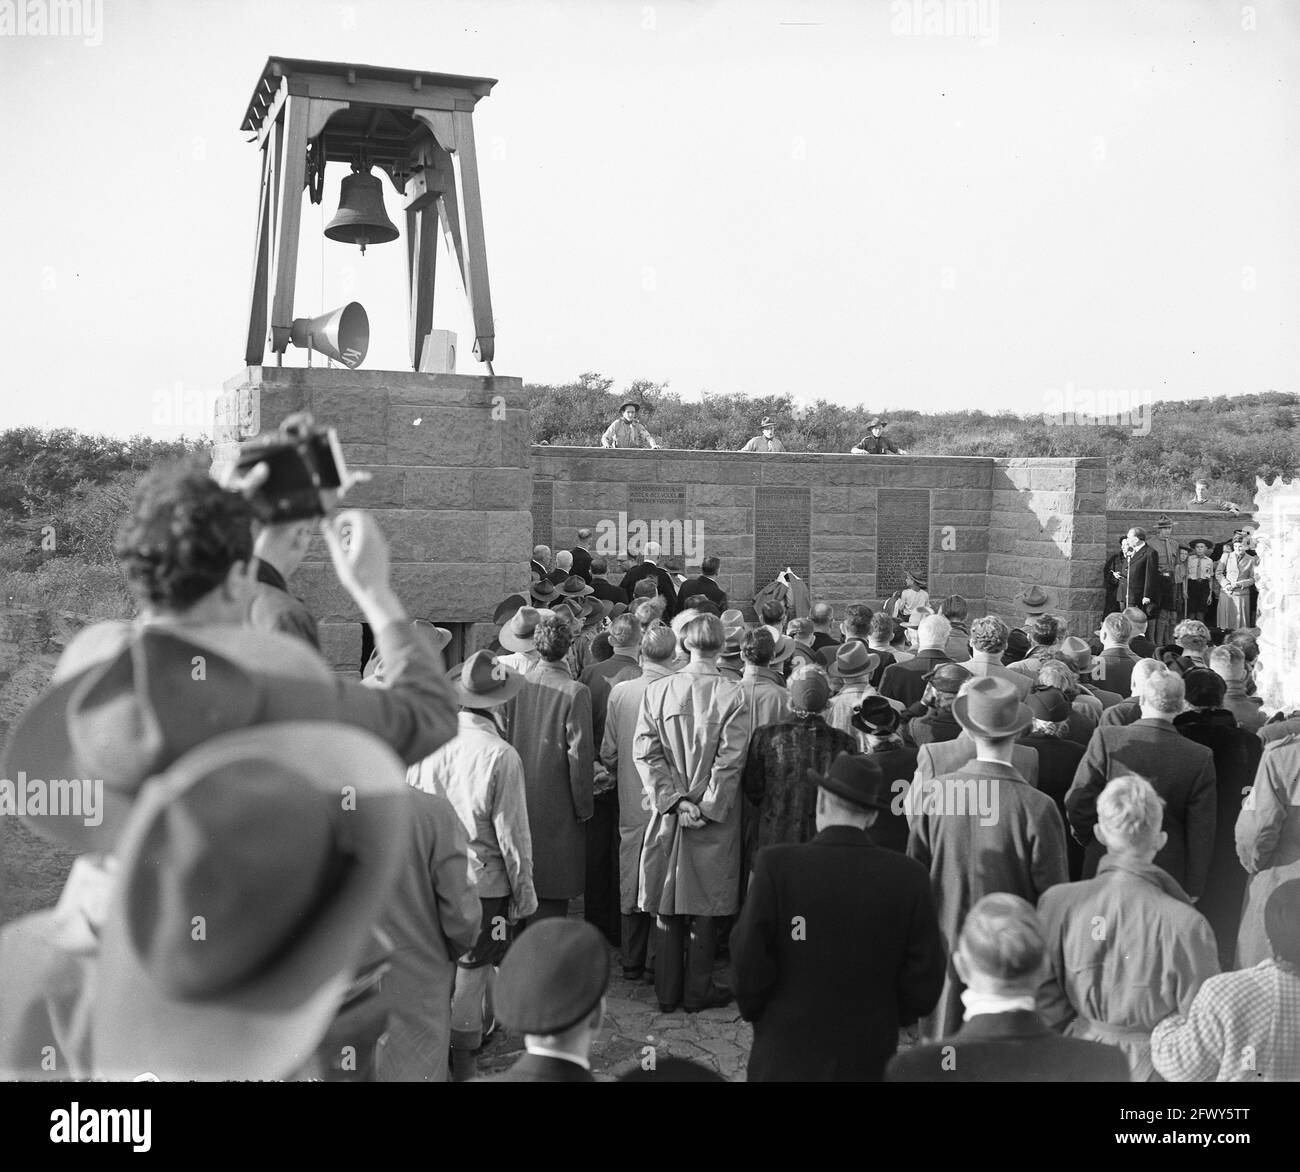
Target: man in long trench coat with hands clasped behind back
{"x":690,"y":750}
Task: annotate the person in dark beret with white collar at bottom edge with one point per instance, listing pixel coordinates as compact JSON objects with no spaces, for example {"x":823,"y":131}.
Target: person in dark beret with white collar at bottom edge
{"x":552,"y":989}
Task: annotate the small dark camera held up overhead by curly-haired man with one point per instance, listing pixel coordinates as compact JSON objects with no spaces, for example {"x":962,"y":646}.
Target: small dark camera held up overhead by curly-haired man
{"x":302,"y":463}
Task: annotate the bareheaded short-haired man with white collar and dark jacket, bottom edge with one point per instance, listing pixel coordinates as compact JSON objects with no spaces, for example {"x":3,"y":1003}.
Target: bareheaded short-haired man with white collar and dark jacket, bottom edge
{"x":1002,"y":958}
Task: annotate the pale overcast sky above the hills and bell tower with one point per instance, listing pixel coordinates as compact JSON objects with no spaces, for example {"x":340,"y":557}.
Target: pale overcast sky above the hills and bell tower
{"x":831,"y":199}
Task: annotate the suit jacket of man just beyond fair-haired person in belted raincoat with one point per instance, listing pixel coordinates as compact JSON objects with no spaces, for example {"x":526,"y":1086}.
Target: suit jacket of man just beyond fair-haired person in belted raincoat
{"x":1182,"y":774}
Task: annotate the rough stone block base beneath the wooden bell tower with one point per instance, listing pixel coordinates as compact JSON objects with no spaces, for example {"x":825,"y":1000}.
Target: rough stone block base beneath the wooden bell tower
{"x":452,"y":492}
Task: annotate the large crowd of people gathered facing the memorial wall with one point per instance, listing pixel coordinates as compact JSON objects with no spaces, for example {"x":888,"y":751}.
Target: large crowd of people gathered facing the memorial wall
{"x":905,"y":841}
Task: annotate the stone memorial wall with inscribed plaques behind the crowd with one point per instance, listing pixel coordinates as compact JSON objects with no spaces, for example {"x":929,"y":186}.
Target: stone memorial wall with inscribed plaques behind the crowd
{"x":851,"y":526}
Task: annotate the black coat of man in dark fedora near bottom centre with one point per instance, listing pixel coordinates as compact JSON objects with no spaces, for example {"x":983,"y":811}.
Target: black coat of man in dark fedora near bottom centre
{"x":837,"y":948}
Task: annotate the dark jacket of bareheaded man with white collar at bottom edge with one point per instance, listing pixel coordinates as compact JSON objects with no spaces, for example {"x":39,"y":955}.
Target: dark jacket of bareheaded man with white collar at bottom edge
{"x":1009,"y":1048}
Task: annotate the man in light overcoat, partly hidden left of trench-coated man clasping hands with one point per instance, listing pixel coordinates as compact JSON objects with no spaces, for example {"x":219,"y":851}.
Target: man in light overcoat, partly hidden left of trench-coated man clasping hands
{"x":658,"y":648}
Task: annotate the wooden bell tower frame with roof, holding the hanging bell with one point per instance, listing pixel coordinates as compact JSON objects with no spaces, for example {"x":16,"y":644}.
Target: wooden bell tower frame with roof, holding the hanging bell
{"x":415,"y":127}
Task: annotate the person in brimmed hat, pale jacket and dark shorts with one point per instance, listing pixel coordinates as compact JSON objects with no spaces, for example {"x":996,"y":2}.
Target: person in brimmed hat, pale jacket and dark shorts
{"x":480,"y":774}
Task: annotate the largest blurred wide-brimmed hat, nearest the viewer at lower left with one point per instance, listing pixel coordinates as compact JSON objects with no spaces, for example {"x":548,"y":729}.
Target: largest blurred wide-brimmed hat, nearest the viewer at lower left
{"x":250,"y":879}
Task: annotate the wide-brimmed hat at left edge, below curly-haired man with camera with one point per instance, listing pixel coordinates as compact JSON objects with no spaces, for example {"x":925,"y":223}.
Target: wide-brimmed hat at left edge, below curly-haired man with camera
{"x":101,"y":731}
